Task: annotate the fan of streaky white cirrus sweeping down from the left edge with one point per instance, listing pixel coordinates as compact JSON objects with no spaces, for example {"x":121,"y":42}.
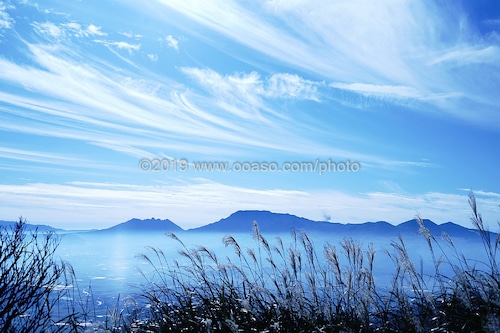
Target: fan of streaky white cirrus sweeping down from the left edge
{"x":91,"y":101}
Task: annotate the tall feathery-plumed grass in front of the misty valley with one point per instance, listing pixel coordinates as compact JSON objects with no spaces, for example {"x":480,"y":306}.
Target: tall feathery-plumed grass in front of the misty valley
{"x":295,"y":287}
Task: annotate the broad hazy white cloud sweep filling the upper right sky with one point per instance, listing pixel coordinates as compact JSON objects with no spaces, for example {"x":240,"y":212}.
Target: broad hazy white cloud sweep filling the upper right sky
{"x":401,"y":50}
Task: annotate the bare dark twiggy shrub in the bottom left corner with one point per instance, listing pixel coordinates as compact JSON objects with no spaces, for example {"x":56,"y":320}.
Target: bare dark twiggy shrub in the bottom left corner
{"x":32,"y":282}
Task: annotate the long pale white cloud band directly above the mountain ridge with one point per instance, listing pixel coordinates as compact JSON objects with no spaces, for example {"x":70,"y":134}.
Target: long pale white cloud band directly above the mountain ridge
{"x":109,"y":203}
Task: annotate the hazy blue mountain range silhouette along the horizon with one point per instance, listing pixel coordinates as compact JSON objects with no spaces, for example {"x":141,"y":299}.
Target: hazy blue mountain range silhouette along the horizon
{"x":269,"y":222}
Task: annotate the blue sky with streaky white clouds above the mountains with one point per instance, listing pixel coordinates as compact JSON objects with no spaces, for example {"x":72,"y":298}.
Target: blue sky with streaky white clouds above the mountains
{"x":342,"y":111}
